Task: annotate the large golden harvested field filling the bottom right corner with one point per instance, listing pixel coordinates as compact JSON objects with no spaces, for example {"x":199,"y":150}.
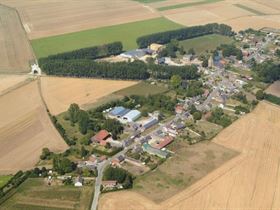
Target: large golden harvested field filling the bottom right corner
{"x":249,"y":181}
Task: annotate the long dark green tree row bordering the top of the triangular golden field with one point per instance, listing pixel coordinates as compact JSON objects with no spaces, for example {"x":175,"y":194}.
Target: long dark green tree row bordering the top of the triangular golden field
{"x":136,"y":70}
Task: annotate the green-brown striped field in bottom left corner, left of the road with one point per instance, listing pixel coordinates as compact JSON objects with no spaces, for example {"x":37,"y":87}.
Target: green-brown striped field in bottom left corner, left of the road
{"x":35,"y":194}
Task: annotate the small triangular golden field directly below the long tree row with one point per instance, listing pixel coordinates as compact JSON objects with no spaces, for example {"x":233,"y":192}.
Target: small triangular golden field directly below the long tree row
{"x":60,"y":92}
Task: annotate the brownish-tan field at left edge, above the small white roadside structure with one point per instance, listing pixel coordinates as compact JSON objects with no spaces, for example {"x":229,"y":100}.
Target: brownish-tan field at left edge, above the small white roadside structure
{"x":16,"y":51}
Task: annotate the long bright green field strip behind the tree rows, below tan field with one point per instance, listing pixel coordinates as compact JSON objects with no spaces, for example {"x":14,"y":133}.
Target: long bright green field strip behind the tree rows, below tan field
{"x":127,"y":33}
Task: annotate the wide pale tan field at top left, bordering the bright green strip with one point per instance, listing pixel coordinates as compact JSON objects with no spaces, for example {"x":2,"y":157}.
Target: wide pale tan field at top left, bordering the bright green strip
{"x":43,"y":18}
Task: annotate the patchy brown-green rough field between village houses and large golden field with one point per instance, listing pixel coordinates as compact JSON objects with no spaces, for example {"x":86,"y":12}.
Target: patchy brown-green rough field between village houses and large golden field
{"x":182,"y":169}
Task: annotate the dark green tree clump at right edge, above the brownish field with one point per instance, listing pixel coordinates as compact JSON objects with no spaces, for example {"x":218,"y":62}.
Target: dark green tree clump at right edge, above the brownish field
{"x":267,"y":71}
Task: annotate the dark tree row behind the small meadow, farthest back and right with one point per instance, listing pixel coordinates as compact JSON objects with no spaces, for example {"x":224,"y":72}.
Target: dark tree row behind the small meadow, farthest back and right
{"x":183,"y":34}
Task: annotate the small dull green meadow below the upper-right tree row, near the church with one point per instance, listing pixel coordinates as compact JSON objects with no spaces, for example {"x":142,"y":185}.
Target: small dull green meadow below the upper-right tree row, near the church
{"x":203,"y":43}
